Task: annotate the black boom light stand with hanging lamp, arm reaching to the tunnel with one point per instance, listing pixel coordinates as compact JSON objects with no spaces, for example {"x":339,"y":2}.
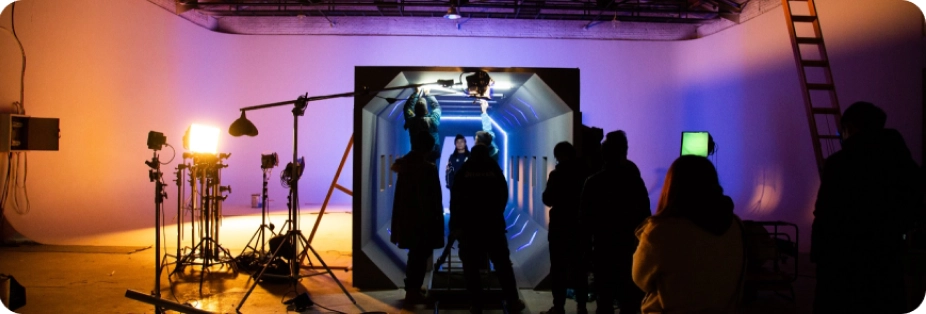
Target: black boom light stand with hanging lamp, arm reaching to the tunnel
{"x":242,"y":126}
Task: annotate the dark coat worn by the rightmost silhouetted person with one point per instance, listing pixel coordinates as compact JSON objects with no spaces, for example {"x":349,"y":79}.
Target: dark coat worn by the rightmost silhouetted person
{"x":868,"y":192}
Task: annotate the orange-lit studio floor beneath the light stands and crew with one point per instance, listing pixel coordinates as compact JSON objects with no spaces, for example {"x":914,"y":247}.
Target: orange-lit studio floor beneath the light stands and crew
{"x":94,"y":279}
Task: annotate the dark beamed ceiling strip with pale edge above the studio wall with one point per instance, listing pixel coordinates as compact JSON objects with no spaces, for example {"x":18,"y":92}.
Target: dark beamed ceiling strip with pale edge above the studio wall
{"x":580,"y":19}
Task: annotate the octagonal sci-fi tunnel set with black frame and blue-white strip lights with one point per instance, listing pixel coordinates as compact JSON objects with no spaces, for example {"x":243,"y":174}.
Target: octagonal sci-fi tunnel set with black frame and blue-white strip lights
{"x":531,"y":109}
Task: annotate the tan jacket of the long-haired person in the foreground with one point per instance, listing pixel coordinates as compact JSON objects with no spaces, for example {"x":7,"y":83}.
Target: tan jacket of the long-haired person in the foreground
{"x":684,"y":268}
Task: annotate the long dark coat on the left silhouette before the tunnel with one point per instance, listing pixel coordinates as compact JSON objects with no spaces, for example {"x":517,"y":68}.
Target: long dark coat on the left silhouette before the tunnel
{"x":417,"y":209}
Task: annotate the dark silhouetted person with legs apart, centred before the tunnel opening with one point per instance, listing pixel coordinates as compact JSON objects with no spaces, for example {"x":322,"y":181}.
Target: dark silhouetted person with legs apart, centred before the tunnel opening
{"x":477,"y":205}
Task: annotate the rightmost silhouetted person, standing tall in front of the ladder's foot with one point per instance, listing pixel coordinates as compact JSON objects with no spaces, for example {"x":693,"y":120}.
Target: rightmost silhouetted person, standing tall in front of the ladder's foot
{"x":868,"y":195}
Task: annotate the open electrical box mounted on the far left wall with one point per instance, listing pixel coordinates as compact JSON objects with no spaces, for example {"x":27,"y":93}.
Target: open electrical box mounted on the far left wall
{"x":24,"y":133}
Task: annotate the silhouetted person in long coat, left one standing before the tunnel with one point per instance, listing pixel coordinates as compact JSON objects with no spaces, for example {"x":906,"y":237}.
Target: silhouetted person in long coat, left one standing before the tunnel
{"x":417,"y":213}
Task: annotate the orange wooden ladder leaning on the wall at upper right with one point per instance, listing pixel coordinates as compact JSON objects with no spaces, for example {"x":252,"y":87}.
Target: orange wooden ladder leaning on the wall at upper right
{"x":817,"y":85}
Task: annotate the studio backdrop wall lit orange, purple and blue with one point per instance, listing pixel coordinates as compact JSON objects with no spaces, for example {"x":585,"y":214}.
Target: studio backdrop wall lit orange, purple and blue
{"x":114,"y":70}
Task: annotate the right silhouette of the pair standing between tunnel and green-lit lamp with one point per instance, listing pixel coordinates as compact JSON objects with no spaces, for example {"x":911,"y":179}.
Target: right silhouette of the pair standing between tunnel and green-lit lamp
{"x":614,"y":203}
